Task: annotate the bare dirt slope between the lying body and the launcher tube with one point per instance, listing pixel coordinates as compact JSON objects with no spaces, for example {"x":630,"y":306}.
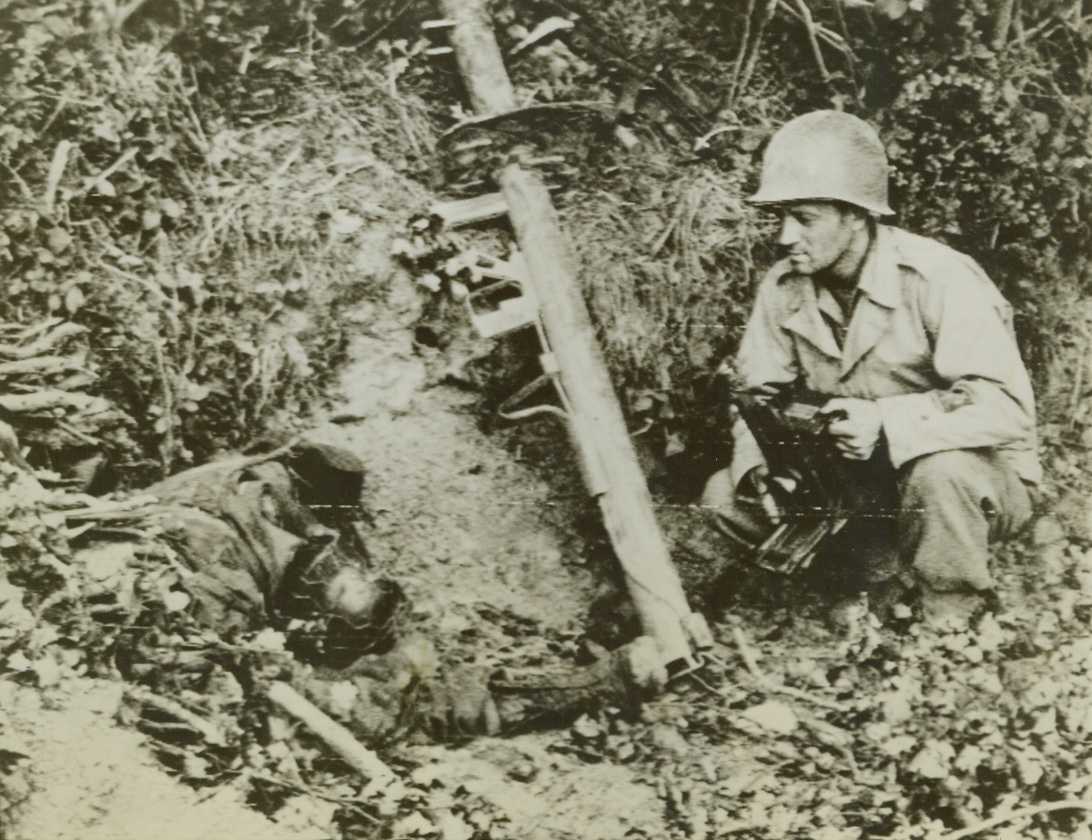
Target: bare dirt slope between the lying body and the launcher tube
{"x":457,"y":519}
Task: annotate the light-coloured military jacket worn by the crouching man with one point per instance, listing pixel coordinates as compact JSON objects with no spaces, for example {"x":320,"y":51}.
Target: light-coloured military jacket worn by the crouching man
{"x":930,"y":339}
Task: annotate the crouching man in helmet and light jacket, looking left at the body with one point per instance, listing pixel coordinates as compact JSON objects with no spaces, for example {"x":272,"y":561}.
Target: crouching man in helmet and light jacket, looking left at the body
{"x":912,"y":348}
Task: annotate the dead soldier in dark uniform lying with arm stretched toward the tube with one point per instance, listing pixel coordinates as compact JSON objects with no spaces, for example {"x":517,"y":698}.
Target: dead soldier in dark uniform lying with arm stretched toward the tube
{"x":276,"y":540}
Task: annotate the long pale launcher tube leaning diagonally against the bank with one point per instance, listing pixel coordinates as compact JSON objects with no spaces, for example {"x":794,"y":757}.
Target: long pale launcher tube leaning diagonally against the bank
{"x":599,"y":428}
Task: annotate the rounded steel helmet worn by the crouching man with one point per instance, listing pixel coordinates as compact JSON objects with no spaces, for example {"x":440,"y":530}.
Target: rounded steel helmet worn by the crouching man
{"x":826,"y":156}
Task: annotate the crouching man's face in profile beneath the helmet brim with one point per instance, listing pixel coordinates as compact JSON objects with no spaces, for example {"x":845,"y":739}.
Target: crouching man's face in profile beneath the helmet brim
{"x":816,"y":236}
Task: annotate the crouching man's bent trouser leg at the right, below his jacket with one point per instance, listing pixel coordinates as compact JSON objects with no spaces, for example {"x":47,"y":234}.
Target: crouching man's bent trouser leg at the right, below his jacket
{"x":954,"y":505}
